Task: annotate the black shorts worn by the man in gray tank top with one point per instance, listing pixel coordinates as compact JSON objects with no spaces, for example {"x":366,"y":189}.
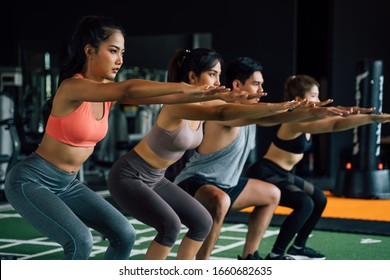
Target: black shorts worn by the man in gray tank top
{"x":192,"y":184}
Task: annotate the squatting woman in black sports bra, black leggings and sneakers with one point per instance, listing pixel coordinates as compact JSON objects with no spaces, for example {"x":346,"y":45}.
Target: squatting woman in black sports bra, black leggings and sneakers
{"x":290,"y":143}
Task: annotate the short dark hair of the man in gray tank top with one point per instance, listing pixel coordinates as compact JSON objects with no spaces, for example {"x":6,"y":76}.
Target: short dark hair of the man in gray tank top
{"x":241,"y":69}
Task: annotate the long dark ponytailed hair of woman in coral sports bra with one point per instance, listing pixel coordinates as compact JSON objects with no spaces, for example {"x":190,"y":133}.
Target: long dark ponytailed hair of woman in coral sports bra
{"x":91,"y":30}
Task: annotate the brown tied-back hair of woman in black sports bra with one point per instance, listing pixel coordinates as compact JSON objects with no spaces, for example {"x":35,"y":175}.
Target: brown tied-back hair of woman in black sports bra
{"x":297,"y":86}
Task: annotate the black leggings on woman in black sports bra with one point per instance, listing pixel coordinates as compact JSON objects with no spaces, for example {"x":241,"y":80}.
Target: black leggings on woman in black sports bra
{"x":307,"y":201}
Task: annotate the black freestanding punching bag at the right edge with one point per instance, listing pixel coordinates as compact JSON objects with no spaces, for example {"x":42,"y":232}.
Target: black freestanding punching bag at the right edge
{"x":363,"y":174}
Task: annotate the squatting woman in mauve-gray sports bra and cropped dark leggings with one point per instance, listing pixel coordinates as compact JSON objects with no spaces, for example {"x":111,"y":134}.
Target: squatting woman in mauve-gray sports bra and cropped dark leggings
{"x":136,"y":181}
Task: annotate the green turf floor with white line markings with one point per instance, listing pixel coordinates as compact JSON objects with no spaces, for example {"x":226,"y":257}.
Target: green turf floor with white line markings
{"x":18,"y":238}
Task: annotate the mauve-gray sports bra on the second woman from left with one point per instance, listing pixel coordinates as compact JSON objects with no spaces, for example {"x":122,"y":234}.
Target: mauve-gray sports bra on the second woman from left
{"x":171,"y":145}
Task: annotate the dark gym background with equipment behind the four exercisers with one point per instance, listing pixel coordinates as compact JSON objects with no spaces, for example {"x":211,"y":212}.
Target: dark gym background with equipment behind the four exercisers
{"x":326,"y":39}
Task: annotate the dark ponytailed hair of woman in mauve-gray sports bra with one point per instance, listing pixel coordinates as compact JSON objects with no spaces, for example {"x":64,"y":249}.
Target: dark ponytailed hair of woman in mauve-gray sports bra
{"x":197,"y":60}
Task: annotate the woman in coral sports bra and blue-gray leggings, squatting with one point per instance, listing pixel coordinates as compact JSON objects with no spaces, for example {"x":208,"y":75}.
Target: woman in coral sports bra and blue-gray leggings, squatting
{"x":43,"y":188}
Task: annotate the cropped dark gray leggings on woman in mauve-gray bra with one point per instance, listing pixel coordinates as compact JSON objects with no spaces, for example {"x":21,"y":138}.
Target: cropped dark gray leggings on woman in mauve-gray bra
{"x":143,"y":192}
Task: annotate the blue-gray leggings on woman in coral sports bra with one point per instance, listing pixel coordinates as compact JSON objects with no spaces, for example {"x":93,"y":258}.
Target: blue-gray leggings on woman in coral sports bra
{"x":62,"y":208}
